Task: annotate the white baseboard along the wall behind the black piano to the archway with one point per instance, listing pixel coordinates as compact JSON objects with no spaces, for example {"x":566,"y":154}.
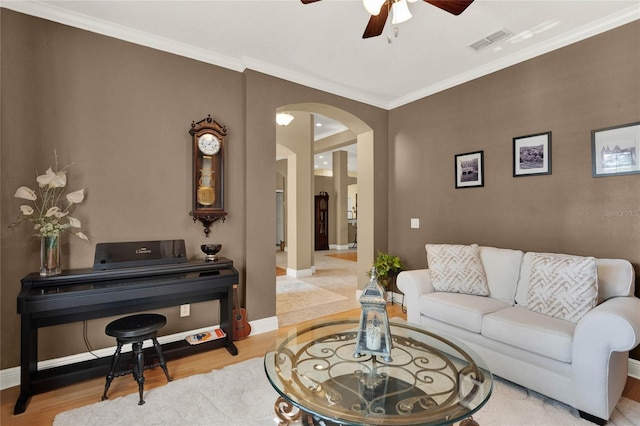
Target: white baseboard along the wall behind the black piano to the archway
{"x":10,"y":377}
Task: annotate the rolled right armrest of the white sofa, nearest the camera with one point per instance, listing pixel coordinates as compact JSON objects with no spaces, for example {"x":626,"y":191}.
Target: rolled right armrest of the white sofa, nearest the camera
{"x":601,"y":343}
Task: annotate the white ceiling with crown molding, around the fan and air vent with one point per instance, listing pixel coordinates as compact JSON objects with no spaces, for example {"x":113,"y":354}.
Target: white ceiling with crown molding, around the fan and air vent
{"x":320,"y":45}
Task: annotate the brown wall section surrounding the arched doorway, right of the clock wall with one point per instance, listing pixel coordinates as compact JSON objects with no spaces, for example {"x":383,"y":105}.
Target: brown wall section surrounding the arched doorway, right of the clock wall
{"x":263,"y":95}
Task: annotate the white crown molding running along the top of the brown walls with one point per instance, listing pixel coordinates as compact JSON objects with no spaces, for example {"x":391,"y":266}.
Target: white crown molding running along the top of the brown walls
{"x":53,"y":13}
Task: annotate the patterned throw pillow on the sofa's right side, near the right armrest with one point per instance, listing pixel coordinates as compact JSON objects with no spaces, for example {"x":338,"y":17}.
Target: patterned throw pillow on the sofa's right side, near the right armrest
{"x":562,"y":286}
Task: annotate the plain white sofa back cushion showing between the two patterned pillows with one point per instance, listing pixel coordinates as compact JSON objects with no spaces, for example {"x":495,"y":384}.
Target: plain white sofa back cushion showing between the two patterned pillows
{"x":502,"y":269}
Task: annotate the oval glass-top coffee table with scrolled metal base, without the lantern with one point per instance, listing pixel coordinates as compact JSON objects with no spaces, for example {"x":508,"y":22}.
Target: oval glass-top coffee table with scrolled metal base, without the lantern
{"x":430,"y":380}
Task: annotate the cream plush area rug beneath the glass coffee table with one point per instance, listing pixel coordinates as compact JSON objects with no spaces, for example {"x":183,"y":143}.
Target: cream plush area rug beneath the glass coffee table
{"x":240,"y":395}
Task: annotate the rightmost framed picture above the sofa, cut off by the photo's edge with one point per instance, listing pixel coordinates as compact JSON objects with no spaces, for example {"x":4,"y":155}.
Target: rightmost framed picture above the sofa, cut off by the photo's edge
{"x":614,"y":150}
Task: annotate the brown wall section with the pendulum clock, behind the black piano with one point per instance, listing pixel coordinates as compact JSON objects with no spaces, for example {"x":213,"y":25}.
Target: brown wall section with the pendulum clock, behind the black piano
{"x":121,"y":114}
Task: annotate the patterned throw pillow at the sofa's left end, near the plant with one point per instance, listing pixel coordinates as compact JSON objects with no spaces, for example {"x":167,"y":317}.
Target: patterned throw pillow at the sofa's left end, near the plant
{"x":457,"y":269}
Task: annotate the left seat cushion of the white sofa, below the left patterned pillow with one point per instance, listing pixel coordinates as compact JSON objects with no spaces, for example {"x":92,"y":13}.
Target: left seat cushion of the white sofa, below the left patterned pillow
{"x":460,"y":310}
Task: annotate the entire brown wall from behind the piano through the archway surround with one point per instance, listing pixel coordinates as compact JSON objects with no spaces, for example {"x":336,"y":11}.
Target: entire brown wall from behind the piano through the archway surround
{"x":121,"y":113}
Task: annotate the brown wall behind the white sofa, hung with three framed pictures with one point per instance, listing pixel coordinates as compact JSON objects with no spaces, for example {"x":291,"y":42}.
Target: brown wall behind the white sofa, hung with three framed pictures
{"x":569,"y":92}
